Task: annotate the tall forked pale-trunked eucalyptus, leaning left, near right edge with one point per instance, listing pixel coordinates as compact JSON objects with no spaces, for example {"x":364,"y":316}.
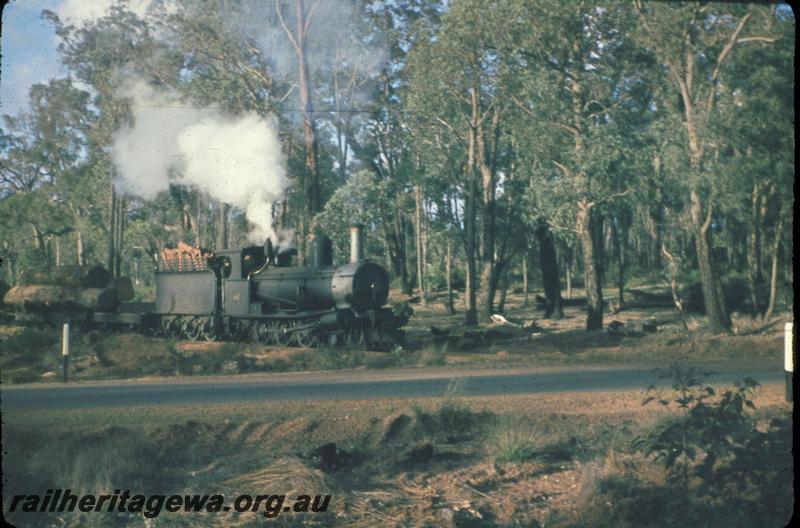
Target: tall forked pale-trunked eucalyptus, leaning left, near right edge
{"x":694,"y":43}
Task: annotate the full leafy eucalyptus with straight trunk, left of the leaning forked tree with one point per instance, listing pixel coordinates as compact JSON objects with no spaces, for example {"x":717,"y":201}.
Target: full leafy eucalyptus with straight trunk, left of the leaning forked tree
{"x":573,"y":83}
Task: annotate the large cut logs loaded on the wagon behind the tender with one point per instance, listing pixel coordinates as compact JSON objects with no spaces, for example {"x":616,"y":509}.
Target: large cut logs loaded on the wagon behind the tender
{"x":70,"y":287}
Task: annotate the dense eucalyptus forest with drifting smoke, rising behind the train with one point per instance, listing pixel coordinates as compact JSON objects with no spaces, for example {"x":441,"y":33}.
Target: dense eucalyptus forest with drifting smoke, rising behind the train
{"x":484,"y":144}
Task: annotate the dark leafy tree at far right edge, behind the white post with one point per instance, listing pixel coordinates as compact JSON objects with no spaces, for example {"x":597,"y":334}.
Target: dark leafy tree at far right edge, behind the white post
{"x":756,"y":107}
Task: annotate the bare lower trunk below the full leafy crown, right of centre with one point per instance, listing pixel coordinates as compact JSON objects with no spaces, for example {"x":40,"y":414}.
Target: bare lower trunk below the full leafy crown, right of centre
{"x":589,"y":227}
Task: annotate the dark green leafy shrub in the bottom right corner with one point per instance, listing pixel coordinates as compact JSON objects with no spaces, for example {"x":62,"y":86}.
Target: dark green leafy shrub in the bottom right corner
{"x":721,"y":466}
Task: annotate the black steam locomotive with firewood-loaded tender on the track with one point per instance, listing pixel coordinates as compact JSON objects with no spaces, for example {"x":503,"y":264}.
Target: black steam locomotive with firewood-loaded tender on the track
{"x":254,"y":293}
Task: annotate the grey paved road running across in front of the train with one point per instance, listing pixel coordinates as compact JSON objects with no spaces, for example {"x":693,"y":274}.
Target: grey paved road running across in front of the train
{"x":338,"y":386}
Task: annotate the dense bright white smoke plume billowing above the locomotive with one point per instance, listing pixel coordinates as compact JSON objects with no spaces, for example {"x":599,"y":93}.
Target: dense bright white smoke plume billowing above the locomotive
{"x":235,"y":160}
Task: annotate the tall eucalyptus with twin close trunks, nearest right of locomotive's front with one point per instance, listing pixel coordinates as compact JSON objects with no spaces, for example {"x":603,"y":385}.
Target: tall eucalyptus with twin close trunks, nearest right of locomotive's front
{"x":455,"y":94}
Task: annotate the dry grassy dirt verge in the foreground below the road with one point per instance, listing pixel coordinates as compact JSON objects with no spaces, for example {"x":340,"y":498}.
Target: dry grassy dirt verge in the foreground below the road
{"x":565,"y":460}
